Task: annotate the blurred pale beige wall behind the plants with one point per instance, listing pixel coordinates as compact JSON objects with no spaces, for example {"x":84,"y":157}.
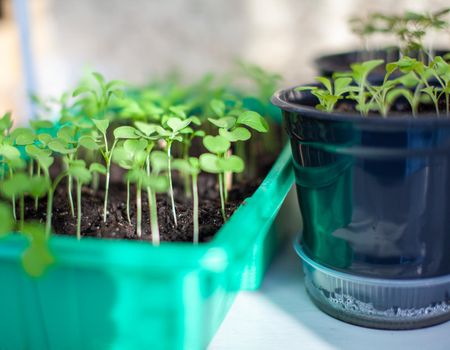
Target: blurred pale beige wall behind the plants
{"x":137,"y":40}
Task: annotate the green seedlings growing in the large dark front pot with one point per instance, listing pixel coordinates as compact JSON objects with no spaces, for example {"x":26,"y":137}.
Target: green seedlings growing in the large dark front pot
{"x":413,"y":82}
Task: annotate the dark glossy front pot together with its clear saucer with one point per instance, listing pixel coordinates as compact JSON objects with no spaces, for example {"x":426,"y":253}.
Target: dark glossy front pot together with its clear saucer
{"x":374,"y":194}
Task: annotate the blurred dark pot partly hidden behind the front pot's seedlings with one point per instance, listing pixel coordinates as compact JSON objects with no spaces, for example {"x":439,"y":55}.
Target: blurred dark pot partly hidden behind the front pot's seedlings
{"x":327,"y":65}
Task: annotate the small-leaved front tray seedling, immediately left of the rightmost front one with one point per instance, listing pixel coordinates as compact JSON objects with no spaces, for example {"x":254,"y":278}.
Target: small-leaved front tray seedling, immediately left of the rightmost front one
{"x":191,"y":167}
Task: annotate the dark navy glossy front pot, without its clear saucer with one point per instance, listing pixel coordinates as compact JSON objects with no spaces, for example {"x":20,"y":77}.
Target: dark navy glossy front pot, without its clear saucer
{"x":374,"y":192}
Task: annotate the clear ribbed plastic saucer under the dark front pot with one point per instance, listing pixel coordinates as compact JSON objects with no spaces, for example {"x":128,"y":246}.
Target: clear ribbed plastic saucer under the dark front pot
{"x":374,"y":302}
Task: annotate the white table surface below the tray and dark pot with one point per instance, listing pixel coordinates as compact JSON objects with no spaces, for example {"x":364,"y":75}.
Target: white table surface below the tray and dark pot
{"x":280,"y":316}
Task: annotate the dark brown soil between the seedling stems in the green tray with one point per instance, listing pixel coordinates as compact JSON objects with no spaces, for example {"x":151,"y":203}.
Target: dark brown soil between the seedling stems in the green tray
{"x":117,"y":226}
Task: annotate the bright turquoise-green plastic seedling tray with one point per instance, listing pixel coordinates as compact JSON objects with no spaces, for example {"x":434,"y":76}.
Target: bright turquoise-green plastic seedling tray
{"x":117,"y":294}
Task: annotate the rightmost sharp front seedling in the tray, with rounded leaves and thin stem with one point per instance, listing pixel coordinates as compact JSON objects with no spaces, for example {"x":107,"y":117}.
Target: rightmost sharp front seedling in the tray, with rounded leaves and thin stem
{"x":216,"y":162}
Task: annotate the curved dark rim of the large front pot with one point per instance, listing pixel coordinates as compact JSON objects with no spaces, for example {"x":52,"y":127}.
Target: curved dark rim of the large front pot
{"x":407,"y":120}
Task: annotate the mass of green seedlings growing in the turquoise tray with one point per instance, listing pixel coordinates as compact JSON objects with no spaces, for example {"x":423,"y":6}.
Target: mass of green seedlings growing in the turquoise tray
{"x":149,"y":132}
